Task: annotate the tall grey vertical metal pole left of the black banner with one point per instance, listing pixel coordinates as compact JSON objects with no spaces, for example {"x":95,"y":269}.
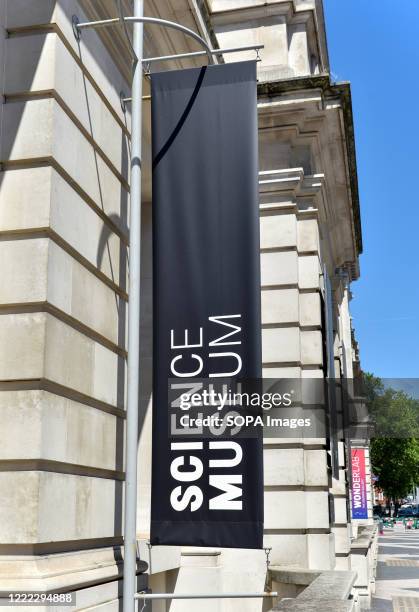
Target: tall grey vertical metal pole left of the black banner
{"x":131,"y":423}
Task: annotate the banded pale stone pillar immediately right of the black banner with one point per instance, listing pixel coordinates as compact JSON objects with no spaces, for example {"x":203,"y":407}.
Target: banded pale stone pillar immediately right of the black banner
{"x":296,"y":478}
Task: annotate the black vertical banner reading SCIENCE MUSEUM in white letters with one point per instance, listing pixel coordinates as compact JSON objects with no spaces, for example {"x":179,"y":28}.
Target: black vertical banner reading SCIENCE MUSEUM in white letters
{"x":206,"y":277}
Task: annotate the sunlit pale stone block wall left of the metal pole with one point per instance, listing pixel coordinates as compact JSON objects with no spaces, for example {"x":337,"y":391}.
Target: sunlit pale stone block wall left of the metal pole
{"x":63,"y":303}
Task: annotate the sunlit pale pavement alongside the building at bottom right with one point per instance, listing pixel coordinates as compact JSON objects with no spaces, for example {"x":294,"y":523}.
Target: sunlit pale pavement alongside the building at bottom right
{"x":397,"y":581}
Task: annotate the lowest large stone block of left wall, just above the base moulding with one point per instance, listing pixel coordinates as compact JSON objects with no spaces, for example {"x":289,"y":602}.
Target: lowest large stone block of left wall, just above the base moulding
{"x":47,"y":506}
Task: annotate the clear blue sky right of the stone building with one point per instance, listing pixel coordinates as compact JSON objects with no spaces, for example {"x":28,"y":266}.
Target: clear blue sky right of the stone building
{"x":374,"y":44}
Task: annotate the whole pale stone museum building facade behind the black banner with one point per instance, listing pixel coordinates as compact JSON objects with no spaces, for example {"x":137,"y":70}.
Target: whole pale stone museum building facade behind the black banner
{"x":64,"y":200}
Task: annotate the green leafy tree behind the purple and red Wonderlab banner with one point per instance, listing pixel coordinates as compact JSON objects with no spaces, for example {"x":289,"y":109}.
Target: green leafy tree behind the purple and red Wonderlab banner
{"x":395,"y":446}
